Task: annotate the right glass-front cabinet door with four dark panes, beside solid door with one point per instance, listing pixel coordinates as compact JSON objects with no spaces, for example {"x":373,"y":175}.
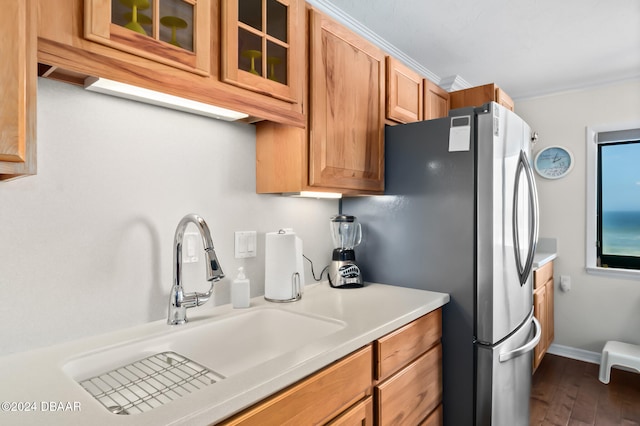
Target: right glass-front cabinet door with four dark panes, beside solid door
{"x":262,"y":46}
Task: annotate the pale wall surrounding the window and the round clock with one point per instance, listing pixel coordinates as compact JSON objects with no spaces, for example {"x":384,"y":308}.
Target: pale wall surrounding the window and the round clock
{"x":597,"y":308}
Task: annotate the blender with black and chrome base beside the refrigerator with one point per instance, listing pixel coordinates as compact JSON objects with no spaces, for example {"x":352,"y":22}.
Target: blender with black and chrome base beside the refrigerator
{"x":346,"y":233}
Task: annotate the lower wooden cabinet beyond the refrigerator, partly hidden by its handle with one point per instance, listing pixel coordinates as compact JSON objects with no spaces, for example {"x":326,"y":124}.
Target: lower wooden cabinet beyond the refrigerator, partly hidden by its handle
{"x":543,"y":306}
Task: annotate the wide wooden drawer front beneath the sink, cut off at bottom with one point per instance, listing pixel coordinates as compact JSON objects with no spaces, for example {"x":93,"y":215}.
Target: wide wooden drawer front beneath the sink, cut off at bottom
{"x":316,"y":399}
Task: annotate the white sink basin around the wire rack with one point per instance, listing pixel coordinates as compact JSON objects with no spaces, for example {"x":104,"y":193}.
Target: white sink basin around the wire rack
{"x":222,"y":346}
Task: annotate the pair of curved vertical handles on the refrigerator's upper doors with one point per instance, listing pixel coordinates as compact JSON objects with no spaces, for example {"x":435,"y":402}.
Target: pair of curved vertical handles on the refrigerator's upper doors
{"x":525,"y":270}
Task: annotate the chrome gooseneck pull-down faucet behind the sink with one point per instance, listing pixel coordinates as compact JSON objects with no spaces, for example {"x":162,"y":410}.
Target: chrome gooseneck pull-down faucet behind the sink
{"x":179,"y":301}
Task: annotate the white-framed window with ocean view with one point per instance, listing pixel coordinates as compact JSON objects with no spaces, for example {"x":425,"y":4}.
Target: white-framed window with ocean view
{"x":613,"y":201}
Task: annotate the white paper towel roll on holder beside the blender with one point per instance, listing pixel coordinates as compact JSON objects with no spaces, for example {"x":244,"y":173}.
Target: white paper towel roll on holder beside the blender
{"x":283,"y":260}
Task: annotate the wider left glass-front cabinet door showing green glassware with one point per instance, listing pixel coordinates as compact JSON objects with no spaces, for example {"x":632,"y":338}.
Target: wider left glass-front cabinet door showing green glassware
{"x":173,"y":32}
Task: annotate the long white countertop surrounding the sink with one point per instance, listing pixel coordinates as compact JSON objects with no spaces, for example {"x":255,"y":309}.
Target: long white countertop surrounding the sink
{"x":35,"y":390}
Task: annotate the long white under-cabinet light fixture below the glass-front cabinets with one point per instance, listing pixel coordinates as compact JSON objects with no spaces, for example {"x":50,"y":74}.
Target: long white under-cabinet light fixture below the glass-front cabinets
{"x":127,"y":91}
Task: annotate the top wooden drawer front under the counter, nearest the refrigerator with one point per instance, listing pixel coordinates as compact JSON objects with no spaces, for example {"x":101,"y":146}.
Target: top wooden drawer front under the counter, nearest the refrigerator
{"x":400,"y":347}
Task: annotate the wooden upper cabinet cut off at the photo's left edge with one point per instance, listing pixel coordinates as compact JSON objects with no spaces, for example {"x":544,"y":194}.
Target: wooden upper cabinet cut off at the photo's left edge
{"x":18,"y":77}
